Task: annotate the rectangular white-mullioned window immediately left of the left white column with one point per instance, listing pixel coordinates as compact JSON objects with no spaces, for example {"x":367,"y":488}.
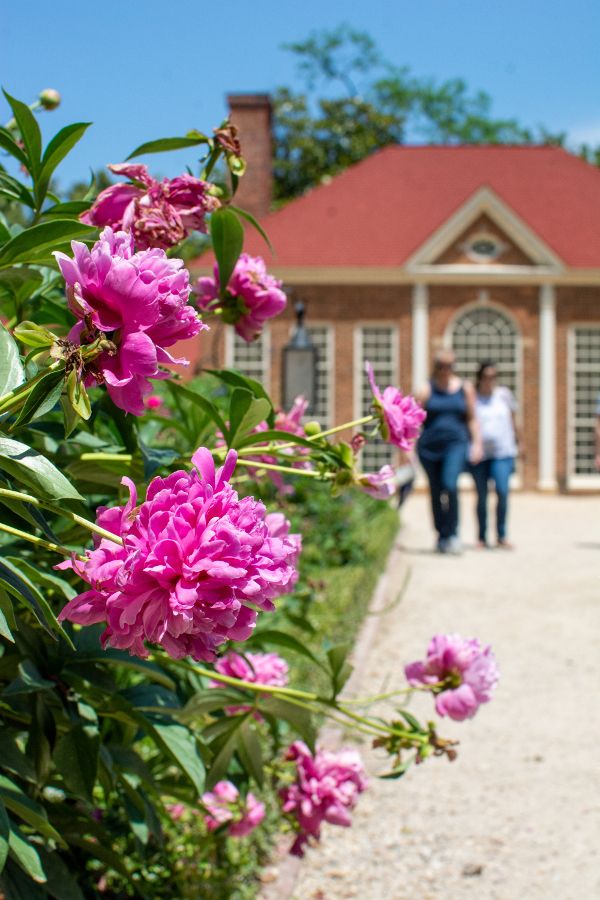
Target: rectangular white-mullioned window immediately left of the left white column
{"x":376,"y":344}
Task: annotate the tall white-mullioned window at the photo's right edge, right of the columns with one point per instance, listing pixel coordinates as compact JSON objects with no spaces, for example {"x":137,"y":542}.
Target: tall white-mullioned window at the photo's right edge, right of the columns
{"x":583,"y":401}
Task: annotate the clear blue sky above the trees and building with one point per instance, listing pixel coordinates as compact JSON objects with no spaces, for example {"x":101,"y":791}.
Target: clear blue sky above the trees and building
{"x":155,"y":69}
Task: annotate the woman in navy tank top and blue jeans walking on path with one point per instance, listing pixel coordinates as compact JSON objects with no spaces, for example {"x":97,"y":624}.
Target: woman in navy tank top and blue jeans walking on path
{"x":443,"y":447}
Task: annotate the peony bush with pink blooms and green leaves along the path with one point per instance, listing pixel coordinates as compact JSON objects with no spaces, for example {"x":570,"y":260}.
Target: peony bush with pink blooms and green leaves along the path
{"x":152,"y":730}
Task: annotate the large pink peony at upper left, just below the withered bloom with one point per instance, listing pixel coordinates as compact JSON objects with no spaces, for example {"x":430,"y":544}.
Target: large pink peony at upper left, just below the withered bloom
{"x":140,"y":301}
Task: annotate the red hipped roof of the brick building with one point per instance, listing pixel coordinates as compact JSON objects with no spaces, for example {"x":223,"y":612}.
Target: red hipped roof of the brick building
{"x":380,"y":211}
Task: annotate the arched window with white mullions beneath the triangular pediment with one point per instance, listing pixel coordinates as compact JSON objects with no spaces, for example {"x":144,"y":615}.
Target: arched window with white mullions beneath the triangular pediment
{"x":485,"y":332}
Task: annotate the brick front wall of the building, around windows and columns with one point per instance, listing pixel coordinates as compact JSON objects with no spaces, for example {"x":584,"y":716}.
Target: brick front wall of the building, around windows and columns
{"x":345,"y":307}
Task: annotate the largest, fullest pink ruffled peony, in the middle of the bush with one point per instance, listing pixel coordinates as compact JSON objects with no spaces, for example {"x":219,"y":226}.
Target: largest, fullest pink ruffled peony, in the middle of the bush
{"x":193,"y":556}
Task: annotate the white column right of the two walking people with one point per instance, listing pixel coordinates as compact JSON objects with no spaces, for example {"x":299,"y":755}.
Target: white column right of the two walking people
{"x":547,"y":434}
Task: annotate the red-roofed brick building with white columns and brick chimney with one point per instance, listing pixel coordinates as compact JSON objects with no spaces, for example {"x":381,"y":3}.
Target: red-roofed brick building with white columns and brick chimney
{"x":494,"y":251}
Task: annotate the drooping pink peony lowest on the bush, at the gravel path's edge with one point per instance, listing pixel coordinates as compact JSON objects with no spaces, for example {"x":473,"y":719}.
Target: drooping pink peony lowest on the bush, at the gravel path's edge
{"x":326,"y":789}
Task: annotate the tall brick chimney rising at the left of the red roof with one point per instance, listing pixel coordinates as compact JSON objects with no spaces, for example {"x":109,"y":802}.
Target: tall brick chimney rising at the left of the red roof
{"x":251,"y":114}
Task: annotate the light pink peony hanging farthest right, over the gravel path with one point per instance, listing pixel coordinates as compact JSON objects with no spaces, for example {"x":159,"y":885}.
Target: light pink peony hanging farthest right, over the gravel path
{"x":459,"y":671}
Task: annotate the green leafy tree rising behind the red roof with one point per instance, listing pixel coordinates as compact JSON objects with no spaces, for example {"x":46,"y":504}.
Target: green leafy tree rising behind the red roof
{"x":356,"y":102}
